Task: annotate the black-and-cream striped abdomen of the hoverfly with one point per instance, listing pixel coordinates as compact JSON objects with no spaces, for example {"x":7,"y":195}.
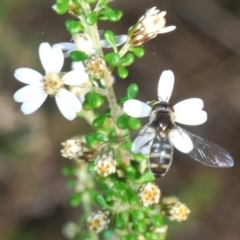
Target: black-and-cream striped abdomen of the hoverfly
{"x":160,"y":156}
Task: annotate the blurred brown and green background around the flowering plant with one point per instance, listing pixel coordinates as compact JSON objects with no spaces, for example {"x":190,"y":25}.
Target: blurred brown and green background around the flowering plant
{"x":203,"y":52}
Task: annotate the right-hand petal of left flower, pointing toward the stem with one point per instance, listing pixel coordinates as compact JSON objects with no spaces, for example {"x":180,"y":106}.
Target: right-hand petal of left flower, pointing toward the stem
{"x":75,"y":77}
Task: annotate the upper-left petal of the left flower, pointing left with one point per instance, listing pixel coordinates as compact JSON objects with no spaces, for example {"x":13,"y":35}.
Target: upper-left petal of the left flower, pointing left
{"x":28,"y":75}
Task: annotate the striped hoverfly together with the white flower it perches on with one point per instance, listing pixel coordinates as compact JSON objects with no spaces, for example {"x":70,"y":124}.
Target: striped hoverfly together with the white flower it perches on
{"x":159,"y":136}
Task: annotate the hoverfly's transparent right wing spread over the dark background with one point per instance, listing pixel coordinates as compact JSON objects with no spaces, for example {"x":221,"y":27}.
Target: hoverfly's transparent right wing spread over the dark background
{"x":208,"y":153}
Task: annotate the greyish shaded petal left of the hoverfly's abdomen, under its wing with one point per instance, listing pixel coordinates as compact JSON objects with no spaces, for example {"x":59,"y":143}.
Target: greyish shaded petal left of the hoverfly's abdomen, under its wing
{"x":144,"y":137}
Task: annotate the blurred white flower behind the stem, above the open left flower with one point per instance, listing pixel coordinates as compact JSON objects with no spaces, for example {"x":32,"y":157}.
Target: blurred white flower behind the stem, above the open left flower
{"x":83,"y":43}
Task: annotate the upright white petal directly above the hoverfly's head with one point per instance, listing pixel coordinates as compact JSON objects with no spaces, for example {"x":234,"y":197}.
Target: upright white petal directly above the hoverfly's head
{"x":165,"y":85}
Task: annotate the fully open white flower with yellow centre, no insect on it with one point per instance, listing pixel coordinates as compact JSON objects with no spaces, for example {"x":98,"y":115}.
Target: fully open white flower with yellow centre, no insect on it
{"x":52,"y":83}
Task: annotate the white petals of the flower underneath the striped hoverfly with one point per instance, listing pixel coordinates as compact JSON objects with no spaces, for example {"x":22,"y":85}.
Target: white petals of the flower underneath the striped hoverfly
{"x":185,"y":112}
